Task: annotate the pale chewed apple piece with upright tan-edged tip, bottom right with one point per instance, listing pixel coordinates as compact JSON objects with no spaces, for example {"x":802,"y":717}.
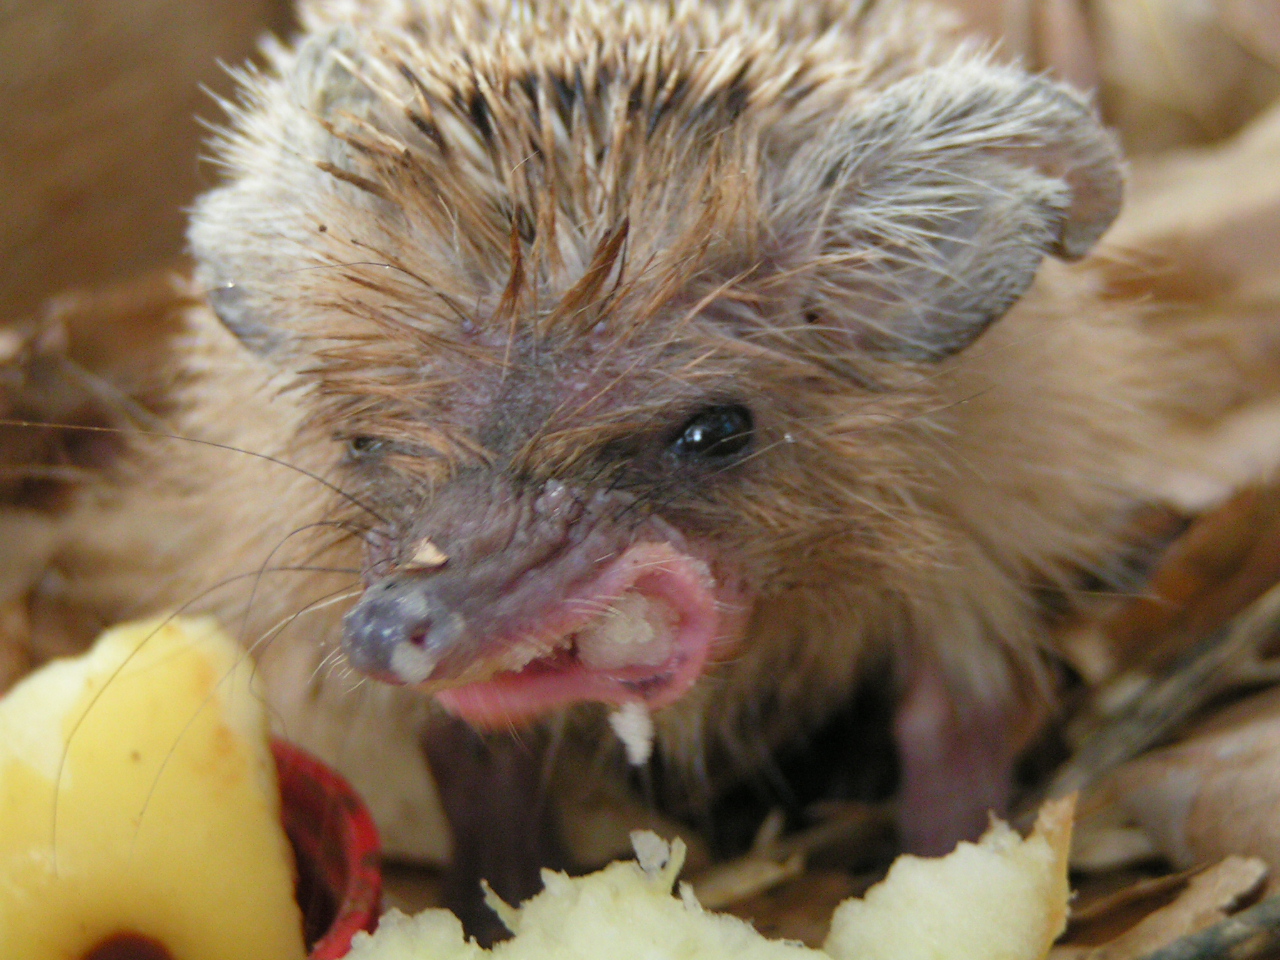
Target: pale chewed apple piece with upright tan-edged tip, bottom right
{"x":1000,"y":899}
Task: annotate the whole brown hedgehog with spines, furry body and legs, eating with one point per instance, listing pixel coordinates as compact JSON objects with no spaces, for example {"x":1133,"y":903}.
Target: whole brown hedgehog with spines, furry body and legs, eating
{"x":687,"y":360}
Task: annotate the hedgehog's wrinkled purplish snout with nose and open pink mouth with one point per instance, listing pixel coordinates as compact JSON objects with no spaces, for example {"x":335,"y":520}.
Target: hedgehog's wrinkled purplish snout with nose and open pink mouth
{"x":555,"y":604}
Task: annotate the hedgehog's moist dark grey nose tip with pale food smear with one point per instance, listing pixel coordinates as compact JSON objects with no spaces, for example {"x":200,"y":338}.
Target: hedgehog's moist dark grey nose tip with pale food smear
{"x":400,"y":630}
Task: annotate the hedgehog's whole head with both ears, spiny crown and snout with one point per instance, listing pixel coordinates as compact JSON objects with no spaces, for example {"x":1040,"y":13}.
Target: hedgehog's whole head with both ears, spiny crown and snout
{"x":628,"y":317}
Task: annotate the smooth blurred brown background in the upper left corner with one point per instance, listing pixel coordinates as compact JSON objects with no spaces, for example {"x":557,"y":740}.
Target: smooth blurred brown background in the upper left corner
{"x":102,"y":138}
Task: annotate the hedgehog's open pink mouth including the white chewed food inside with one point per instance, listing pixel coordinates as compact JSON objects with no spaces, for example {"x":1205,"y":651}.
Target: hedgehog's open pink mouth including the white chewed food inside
{"x":643,"y":632}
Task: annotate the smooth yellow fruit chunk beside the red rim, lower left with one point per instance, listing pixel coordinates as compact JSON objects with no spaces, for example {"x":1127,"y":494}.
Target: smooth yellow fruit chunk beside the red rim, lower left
{"x":139,"y":804}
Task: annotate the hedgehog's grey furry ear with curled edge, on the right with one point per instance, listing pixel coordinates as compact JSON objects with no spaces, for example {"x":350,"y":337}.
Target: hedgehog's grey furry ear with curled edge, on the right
{"x":927,"y":213}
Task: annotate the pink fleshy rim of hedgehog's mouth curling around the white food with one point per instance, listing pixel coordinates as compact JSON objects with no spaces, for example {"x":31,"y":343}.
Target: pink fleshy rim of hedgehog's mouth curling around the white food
{"x":680,"y":584}
